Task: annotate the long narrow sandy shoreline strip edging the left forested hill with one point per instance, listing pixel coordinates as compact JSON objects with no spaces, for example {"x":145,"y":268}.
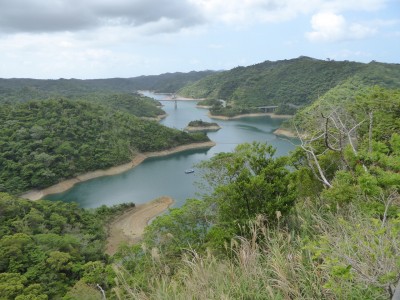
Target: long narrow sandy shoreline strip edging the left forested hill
{"x":138,"y":159}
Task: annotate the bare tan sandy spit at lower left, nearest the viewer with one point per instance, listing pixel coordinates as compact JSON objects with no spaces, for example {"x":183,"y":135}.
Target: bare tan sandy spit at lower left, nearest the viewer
{"x":129,"y":227}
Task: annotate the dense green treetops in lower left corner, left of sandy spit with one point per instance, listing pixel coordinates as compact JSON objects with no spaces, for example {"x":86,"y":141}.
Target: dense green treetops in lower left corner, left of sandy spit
{"x":48,"y":248}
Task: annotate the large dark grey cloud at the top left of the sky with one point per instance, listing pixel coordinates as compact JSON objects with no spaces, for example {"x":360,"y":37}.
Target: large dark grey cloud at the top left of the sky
{"x":37,"y":16}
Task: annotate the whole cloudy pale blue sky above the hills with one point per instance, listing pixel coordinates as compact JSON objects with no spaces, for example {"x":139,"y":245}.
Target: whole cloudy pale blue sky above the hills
{"x":127,"y":38}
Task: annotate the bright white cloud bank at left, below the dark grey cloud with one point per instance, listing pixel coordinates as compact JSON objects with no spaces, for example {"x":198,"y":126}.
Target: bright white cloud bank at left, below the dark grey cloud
{"x":60,"y":55}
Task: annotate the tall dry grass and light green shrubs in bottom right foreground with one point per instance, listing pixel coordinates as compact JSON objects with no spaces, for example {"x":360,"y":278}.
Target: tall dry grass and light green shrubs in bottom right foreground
{"x":314,"y":255}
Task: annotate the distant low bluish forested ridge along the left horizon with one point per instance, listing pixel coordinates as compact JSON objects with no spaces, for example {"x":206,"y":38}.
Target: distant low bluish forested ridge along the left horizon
{"x":30,"y":89}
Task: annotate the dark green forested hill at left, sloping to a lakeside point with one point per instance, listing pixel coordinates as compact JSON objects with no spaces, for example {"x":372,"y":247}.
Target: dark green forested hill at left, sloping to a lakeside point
{"x":43,"y":142}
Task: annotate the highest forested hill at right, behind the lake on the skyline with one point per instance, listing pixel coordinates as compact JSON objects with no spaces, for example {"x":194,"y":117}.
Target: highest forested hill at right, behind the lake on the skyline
{"x":297,"y":81}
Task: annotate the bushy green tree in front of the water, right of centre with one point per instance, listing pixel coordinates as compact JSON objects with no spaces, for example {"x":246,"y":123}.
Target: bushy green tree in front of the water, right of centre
{"x":248,"y":182}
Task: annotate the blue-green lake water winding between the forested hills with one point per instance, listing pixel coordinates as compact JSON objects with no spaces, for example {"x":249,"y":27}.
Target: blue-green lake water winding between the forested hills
{"x":161,"y":176}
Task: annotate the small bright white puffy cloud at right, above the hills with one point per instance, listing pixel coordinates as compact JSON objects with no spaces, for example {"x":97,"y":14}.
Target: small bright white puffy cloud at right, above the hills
{"x":330,"y":27}
